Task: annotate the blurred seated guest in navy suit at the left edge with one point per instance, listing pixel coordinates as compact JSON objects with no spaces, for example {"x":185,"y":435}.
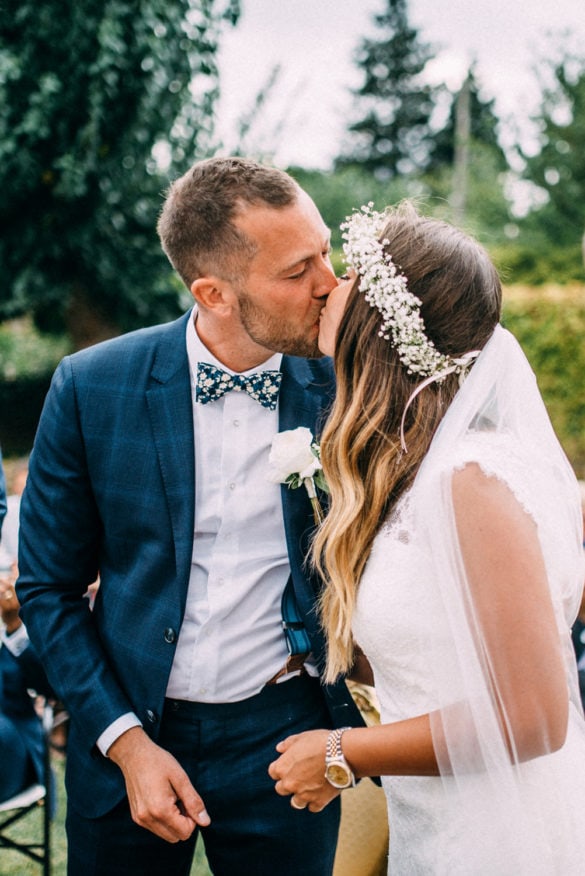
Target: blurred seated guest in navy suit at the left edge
{"x":21,"y":734}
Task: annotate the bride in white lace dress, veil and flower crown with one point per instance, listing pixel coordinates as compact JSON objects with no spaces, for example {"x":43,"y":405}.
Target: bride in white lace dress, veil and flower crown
{"x":452,"y":555}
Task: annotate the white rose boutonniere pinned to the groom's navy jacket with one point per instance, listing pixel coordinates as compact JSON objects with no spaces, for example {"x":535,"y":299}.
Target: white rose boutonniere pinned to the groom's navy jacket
{"x":295,"y":460}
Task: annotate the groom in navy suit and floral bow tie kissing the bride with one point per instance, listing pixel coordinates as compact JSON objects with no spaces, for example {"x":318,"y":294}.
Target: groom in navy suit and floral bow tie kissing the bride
{"x":178,"y":682}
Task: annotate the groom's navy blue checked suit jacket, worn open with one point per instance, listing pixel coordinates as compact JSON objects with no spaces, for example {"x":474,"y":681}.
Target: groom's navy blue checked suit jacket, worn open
{"x":110,"y":489}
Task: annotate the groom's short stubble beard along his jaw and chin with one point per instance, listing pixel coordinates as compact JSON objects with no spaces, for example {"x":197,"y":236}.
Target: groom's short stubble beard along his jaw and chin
{"x":276,"y":333}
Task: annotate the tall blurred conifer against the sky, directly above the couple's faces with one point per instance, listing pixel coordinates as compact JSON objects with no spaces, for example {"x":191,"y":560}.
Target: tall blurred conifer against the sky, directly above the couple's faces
{"x":393,"y":135}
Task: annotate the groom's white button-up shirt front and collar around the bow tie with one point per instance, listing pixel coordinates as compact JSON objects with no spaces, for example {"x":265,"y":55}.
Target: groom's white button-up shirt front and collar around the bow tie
{"x":231,"y":640}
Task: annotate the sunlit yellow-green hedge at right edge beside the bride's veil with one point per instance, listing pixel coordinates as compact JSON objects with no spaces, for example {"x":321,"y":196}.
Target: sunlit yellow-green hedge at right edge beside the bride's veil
{"x":550,"y":326}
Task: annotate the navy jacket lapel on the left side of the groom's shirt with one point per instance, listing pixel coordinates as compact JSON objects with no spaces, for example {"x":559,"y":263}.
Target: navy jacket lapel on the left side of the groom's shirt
{"x":171,"y":415}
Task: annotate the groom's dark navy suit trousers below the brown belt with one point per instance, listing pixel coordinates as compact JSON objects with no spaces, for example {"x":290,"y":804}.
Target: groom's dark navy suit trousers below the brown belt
{"x":226,"y":750}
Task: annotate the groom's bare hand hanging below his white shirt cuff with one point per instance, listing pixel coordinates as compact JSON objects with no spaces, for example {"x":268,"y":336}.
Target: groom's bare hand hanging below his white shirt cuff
{"x":162,"y":799}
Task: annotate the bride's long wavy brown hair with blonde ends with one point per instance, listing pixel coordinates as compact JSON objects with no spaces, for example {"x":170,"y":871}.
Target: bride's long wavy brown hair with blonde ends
{"x":362,"y":459}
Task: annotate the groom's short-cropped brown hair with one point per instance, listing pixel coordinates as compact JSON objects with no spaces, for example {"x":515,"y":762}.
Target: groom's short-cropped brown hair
{"x":196,"y":225}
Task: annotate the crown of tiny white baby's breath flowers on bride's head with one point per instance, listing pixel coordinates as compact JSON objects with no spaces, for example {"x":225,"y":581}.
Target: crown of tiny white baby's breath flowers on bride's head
{"x":386,"y":289}
